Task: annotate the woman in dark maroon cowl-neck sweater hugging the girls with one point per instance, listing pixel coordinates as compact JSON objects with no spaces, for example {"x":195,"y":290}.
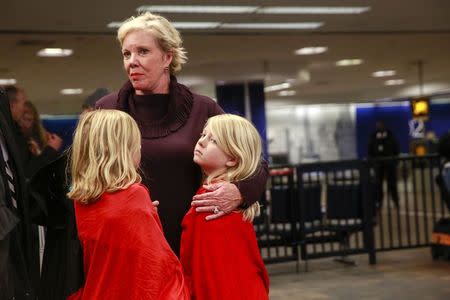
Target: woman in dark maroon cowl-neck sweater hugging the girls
{"x":171,"y":118}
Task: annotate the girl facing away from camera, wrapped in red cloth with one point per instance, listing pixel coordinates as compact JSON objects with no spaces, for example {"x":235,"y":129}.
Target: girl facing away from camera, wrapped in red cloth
{"x":124,"y":250}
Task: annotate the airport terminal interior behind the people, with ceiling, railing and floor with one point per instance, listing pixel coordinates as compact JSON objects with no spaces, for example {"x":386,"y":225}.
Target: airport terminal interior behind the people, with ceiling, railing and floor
{"x":317,"y":79}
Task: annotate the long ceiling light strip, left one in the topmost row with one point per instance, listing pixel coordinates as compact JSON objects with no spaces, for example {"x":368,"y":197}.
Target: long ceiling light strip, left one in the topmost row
{"x":199,"y":9}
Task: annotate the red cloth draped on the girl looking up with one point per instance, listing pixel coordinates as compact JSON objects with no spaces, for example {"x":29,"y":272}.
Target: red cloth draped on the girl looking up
{"x":221,"y":259}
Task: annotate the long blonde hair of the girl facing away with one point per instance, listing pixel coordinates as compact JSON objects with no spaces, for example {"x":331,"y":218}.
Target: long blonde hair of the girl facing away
{"x":102,"y":155}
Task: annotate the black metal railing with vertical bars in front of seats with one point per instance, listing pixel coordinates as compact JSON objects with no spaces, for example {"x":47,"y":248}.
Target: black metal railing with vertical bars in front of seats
{"x":335,"y":209}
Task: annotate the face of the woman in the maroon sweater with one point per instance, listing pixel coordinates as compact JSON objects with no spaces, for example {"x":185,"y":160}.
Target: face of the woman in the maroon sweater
{"x":145,"y":62}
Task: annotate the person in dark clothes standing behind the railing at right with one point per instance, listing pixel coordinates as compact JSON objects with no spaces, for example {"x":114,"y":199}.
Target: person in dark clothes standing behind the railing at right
{"x":382,"y":144}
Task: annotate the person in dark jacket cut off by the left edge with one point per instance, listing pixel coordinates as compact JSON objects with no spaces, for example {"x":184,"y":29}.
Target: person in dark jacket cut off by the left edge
{"x":16,"y":259}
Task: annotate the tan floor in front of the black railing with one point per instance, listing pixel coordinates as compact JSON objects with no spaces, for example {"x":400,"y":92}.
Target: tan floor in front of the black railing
{"x":401,"y":274}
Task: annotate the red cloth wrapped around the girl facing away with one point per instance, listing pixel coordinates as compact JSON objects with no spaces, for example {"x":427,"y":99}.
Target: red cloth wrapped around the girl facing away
{"x":125,"y":253}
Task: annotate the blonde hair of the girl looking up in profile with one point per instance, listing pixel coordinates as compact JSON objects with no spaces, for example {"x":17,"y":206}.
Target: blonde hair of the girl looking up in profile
{"x":239,"y":139}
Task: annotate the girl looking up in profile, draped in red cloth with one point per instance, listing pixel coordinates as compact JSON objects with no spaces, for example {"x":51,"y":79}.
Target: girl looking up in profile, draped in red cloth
{"x":220,"y":258}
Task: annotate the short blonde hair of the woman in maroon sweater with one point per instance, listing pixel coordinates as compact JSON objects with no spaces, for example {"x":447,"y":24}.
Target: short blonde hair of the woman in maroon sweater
{"x":168,"y":38}
